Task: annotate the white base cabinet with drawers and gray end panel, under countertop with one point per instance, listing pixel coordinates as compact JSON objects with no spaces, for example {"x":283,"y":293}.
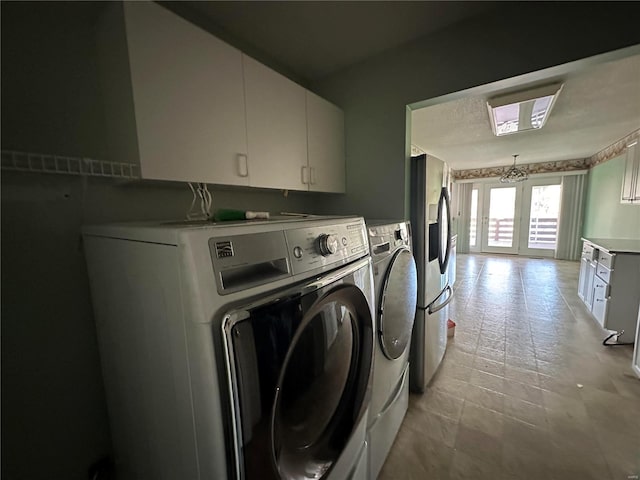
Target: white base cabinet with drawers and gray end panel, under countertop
{"x":608,"y":285}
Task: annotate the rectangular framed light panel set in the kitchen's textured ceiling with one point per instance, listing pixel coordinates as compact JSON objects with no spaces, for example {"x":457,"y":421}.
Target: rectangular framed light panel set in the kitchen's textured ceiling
{"x":521,"y":111}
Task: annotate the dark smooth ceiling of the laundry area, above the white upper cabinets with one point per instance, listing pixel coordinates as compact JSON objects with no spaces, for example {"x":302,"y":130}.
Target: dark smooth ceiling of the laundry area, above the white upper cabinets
{"x":316,"y":38}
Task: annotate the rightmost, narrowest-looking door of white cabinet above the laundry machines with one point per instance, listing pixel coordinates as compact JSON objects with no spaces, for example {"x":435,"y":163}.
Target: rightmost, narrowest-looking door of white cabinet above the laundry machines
{"x":325,"y":124}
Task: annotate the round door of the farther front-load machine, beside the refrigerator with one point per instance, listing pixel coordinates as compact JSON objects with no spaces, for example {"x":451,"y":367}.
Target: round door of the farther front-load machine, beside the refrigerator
{"x":397,"y":304}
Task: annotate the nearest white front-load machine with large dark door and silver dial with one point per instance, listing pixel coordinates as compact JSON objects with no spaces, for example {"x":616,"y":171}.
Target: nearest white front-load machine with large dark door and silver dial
{"x":239,"y":350}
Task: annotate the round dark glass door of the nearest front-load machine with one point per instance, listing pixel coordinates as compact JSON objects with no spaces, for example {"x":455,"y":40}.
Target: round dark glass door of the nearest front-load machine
{"x":322,"y":385}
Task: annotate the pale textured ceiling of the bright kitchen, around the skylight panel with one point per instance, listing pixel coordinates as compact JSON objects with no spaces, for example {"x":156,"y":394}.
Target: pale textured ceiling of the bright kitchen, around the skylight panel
{"x":596,"y":107}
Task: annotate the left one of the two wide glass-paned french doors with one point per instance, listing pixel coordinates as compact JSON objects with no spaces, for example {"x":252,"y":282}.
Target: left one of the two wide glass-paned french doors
{"x":501,"y":221}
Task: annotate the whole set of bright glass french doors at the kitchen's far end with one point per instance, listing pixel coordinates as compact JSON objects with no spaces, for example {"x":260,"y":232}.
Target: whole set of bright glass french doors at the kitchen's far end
{"x":519,"y":218}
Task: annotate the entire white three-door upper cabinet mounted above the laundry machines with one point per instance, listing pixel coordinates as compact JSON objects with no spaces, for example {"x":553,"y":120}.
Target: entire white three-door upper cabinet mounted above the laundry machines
{"x":185,"y":106}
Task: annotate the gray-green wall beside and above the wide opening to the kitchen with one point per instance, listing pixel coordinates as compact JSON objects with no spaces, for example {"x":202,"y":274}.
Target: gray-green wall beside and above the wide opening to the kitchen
{"x":516,"y":39}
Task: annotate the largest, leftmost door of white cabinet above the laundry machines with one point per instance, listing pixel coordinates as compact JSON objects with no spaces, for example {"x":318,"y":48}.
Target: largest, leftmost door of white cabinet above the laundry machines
{"x":188,"y":98}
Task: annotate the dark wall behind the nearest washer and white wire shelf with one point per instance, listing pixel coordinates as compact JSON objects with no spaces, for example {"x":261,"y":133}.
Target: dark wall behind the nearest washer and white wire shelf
{"x":54,"y":419}
